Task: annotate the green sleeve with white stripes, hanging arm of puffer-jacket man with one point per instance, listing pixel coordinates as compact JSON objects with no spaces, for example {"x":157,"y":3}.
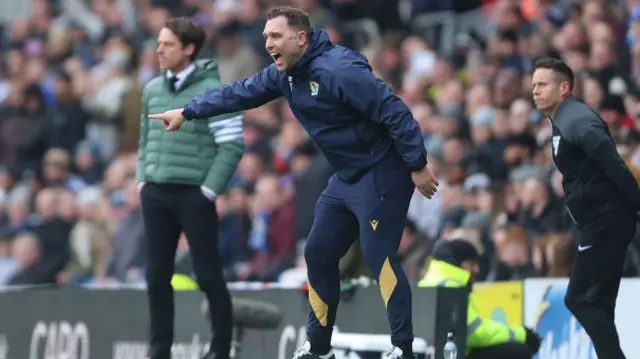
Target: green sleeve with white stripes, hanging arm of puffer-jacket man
{"x":229,"y":139}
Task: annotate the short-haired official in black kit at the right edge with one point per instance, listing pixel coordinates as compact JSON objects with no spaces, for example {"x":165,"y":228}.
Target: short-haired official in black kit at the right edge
{"x":602,"y":197}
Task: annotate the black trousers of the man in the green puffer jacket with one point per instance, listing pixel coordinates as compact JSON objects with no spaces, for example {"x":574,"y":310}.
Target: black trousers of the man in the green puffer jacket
{"x":169,"y":210}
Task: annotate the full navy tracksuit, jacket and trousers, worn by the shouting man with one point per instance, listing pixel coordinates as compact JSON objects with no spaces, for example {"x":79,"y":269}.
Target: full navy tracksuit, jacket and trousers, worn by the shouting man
{"x":370,"y":138}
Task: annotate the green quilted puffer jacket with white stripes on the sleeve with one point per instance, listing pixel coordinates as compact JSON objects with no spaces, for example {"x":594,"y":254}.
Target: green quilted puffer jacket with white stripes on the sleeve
{"x":201,"y":152}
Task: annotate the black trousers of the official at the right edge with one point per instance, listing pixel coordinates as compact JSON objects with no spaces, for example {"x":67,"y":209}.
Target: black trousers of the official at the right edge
{"x":595,"y":278}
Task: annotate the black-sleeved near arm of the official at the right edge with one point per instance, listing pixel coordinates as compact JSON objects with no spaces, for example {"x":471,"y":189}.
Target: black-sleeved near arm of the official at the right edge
{"x":591,"y":136}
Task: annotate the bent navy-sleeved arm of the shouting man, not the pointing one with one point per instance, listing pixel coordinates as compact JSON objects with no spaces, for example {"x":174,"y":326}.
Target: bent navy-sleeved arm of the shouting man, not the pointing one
{"x":358,"y":87}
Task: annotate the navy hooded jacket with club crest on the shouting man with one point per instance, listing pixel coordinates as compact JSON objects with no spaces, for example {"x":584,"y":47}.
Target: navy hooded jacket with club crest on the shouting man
{"x":353,"y":116}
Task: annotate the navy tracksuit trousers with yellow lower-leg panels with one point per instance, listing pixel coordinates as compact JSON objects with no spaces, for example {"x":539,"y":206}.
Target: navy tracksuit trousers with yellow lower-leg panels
{"x":375,"y":209}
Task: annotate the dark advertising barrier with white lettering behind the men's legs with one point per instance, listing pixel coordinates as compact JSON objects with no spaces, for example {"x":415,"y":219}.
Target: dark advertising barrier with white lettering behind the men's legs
{"x":112,"y":324}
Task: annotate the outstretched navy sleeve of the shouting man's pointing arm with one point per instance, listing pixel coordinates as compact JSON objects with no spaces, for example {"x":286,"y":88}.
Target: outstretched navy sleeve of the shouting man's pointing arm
{"x":245,"y":94}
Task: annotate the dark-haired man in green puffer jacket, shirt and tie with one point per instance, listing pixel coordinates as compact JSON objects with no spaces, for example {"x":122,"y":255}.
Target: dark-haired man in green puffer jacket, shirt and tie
{"x":179,"y":175}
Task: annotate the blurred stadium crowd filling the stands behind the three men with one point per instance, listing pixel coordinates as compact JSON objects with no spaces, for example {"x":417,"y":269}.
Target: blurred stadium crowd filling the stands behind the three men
{"x":70,"y":87}
